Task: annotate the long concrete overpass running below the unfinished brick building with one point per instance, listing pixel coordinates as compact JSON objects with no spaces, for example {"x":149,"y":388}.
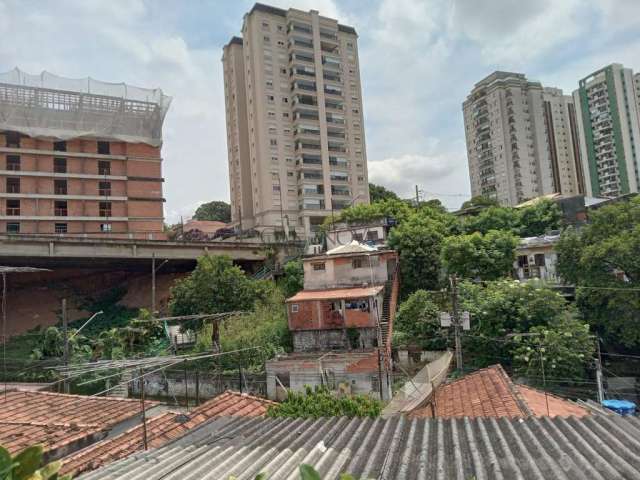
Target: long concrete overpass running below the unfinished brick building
{"x":50,"y":251}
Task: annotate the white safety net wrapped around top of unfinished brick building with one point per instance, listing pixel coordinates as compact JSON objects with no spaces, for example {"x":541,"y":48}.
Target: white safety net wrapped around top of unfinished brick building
{"x":49,"y":106}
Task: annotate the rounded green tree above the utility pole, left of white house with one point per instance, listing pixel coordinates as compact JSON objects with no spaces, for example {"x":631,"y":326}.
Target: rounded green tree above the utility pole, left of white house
{"x":477,"y":256}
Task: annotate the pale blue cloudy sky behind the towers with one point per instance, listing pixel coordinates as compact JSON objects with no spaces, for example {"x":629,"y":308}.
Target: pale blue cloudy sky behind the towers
{"x":418,"y":59}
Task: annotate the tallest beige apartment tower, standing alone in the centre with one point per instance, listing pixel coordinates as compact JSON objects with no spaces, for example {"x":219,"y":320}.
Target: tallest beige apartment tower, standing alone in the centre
{"x":295,"y":131}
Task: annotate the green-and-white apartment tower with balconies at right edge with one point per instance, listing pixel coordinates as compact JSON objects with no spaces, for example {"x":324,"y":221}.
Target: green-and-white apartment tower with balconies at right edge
{"x":609,"y":119}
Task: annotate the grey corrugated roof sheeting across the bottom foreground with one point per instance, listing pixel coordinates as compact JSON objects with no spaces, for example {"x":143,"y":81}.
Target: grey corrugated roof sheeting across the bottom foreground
{"x":398,"y":448}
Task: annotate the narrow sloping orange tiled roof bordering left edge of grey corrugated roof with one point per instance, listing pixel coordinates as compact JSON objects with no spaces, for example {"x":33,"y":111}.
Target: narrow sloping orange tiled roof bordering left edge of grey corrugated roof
{"x":161,"y":429}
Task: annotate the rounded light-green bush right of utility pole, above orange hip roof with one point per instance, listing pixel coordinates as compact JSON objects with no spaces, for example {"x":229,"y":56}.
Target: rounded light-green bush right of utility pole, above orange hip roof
{"x":564,"y":347}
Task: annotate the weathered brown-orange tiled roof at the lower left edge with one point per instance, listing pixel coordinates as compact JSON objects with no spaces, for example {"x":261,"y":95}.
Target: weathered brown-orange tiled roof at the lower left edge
{"x":56,"y":420}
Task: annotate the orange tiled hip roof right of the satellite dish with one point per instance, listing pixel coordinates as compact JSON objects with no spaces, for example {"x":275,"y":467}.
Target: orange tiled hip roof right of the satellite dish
{"x":491,"y":393}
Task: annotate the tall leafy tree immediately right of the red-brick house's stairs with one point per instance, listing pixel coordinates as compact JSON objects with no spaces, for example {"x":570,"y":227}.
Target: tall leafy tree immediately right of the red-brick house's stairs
{"x":418,"y":241}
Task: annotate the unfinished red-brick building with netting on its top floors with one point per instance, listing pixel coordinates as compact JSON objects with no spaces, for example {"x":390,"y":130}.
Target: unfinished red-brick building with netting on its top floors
{"x":80,"y":157}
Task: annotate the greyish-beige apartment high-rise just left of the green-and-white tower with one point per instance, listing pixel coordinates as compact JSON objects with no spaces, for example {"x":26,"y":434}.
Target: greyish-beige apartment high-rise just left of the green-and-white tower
{"x":520,"y":139}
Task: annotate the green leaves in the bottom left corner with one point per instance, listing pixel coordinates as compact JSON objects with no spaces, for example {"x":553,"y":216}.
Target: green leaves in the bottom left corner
{"x":28,"y":465}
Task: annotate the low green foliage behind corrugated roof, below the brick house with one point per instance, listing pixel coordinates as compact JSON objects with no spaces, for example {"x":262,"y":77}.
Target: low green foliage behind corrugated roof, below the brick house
{"x":320,"y":402}
